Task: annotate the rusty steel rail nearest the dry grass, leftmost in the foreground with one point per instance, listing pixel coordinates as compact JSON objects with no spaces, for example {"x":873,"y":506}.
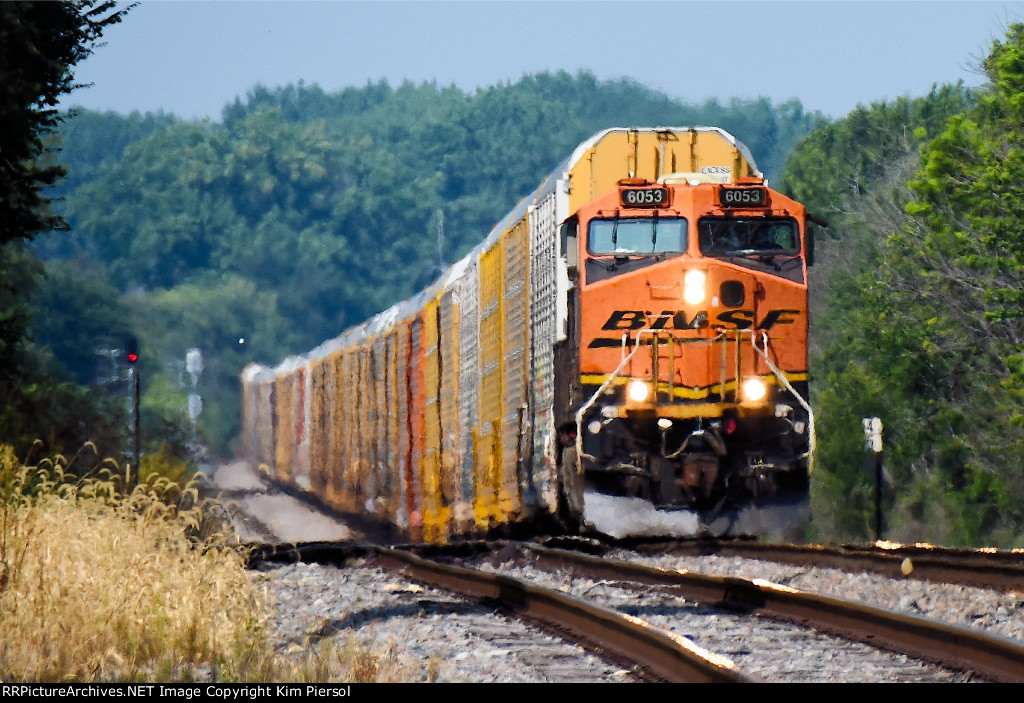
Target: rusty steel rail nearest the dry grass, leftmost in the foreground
{"x":666,"y":655}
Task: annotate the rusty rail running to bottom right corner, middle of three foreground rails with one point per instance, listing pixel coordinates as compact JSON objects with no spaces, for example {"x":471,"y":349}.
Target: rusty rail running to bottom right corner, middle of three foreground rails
{"x":990,"y":656}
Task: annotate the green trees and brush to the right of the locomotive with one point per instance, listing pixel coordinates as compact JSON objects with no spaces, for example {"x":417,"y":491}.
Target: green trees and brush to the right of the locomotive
{"x":920,"y":320}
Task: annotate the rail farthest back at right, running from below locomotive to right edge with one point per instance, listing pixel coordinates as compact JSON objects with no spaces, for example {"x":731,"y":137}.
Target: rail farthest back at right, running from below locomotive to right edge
{"x":1000,"y":570}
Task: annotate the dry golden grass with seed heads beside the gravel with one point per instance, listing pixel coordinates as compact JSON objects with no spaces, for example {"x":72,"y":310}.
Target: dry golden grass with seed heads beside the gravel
{"x":100,"y":586}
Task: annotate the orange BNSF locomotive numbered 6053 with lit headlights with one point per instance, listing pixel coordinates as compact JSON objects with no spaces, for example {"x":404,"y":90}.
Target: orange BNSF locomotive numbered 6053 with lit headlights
{"x":688,"y":359}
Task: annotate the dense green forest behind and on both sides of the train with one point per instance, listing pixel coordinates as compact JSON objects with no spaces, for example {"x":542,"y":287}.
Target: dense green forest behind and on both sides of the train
{"x":301,"y":212}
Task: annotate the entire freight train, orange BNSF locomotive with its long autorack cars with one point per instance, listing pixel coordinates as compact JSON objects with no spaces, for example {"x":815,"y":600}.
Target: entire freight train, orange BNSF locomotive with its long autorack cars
{"x":625,"y":353}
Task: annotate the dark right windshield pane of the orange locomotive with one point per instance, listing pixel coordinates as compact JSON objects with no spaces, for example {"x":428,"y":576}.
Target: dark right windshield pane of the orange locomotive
{"x":747,"y":236}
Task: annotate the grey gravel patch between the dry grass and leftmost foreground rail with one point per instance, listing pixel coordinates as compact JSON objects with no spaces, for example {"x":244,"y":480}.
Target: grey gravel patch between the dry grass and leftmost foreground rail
{"x":434,"y":635}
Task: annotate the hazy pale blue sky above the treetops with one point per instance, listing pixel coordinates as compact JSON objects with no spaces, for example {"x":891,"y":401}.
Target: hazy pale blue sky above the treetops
{"x":193,"y":58}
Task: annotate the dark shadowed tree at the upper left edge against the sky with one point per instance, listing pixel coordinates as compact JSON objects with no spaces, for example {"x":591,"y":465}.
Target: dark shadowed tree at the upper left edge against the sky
{"x":40,"y":45}
